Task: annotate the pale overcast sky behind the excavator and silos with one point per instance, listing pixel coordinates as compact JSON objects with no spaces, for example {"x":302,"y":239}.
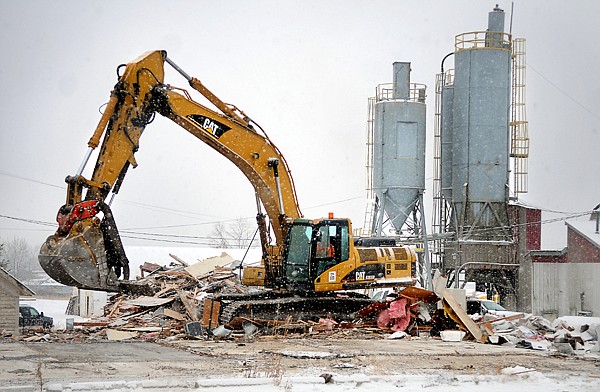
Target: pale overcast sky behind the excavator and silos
{"x":303,"y":70}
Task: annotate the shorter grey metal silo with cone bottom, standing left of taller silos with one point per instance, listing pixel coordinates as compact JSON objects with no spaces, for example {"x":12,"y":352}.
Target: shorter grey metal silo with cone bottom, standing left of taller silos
{"x":398,"y":177}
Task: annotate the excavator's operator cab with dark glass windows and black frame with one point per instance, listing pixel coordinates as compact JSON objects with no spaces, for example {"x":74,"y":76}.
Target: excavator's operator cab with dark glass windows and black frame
{"x":313,"y":247}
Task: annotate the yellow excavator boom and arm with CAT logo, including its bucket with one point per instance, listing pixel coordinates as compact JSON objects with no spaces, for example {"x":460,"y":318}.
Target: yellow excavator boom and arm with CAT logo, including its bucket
{"x":86,"y":250}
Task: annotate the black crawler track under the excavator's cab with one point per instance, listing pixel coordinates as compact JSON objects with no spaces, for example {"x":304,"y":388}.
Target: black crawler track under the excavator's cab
{"x":281,"y":307}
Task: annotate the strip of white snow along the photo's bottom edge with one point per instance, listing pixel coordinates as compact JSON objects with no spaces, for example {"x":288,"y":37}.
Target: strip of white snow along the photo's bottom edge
{"x":512,"y":379}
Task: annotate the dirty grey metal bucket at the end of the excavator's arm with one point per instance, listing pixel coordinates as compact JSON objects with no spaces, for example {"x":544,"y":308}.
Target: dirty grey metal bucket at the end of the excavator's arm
{"x":79,"y":260}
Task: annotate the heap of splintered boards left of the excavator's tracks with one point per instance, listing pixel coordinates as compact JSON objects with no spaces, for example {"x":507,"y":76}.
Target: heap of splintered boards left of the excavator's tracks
{"x":177,"y":300}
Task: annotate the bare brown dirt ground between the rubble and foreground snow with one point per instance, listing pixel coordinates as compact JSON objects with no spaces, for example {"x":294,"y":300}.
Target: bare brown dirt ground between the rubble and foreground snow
{"x":26,"y":365}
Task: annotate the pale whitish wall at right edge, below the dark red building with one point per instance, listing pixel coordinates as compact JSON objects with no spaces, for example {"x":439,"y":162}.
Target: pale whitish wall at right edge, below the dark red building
{"x":558,"y":289}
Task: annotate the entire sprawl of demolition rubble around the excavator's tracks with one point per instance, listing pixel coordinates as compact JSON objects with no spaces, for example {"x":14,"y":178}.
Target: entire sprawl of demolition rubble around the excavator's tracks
{"x":178,"y":303}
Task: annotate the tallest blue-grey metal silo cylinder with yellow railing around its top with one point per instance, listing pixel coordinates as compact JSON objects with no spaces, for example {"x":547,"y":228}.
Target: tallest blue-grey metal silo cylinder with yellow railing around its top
{"x":480,"y":121}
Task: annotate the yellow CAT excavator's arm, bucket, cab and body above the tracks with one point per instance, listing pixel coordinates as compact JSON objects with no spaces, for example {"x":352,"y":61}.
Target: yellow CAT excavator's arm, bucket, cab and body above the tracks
{"x":308,"y":258}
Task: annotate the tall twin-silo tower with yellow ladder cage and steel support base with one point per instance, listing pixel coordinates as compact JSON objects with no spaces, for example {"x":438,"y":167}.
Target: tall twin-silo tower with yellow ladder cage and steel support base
{"x":480,"y":136}
